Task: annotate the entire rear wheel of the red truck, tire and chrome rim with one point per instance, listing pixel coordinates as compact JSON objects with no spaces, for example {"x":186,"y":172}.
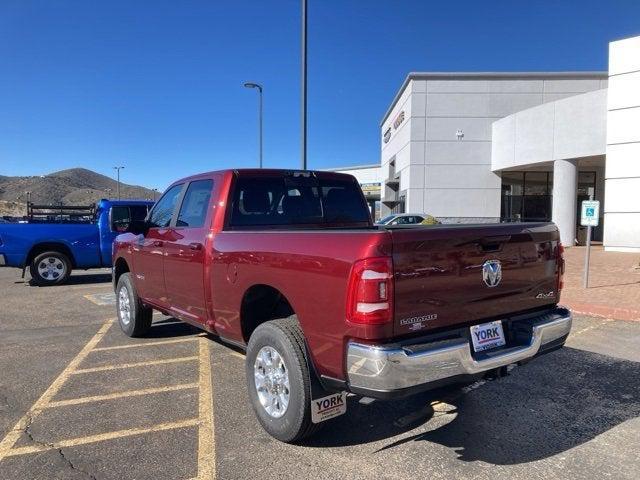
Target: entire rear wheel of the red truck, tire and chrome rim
{"x":278,"y":380}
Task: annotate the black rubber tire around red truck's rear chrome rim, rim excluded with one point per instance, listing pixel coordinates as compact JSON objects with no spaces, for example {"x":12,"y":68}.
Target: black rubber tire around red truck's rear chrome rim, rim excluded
{"x":285,"y":336}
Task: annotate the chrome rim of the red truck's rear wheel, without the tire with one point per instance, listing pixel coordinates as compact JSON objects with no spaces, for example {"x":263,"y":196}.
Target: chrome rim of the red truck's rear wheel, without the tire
{"x":271,"y":378}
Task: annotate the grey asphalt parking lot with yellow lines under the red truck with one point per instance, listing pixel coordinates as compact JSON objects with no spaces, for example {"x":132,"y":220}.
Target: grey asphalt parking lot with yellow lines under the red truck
{"x":80,"y":400}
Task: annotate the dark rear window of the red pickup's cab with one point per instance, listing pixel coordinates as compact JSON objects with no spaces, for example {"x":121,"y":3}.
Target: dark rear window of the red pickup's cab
{"x":297,"y":201}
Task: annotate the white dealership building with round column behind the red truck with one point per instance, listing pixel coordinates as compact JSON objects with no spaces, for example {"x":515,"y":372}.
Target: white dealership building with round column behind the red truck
{"x":486,"y":147}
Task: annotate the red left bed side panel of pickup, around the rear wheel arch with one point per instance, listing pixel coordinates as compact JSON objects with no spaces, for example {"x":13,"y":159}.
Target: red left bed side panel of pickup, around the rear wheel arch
{"x":311,"y":269}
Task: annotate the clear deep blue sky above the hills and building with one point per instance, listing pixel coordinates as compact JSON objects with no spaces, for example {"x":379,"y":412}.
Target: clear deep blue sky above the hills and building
{"x":157,"y":85}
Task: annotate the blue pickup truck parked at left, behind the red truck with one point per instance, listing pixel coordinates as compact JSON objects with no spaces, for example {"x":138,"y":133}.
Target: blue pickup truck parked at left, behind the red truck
{"x":57,"y":240}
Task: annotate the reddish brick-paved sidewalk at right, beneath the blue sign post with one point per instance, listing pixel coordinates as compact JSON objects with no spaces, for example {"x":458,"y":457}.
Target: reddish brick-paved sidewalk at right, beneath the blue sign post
{"x":614,"y":284}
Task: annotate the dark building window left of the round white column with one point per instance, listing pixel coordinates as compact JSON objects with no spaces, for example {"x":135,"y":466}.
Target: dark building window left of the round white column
{"x":526,"y":196}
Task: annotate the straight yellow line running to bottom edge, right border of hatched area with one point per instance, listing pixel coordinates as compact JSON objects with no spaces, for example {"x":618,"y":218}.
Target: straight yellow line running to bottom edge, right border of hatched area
{"x":206,"y":432}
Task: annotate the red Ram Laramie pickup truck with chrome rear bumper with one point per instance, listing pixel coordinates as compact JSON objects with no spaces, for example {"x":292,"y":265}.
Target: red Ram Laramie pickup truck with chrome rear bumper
{"x":289,"y":266}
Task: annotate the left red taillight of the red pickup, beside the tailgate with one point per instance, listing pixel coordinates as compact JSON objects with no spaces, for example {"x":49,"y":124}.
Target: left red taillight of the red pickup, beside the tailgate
{"x":370,"y":291}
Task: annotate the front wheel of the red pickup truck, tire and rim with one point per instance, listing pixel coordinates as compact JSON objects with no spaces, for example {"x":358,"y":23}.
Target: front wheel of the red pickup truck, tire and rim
{"x":139,"y":319}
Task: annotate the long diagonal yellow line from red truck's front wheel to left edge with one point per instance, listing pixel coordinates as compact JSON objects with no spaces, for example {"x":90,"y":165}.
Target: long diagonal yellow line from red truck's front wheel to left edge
{"x":14,"y":434}
